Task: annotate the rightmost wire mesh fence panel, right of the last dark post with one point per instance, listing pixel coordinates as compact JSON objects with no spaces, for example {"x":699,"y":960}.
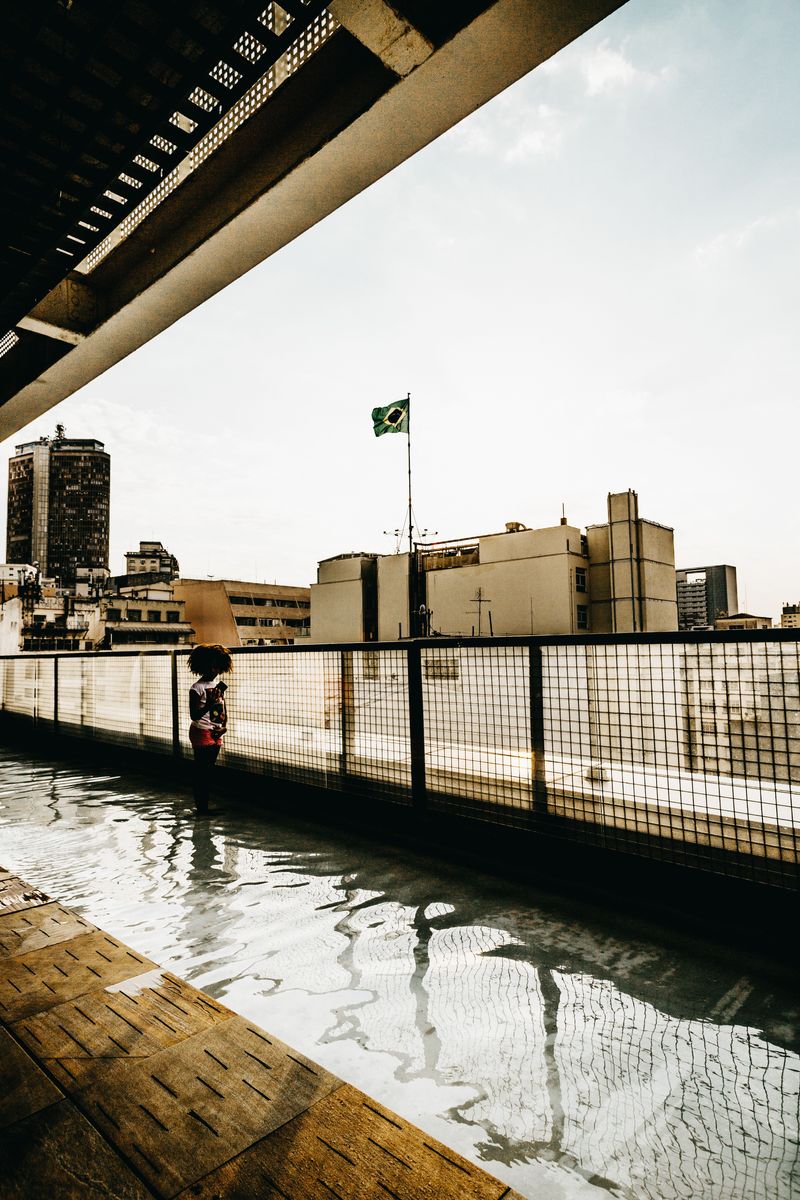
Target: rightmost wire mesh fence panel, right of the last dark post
{"x":678,"y":752}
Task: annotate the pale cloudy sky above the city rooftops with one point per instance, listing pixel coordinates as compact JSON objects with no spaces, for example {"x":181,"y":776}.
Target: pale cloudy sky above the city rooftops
{"x":590,"y":285}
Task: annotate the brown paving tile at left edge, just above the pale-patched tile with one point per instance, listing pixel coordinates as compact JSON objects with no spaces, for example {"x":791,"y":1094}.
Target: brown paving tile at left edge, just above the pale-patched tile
{"x":35,"y":982}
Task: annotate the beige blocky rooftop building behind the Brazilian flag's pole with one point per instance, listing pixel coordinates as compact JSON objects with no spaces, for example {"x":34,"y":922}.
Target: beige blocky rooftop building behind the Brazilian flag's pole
{"x":617,"y":578}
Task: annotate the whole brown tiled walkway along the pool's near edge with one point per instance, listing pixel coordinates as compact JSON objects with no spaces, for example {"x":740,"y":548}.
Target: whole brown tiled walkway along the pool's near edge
{"x":121,"y":1081}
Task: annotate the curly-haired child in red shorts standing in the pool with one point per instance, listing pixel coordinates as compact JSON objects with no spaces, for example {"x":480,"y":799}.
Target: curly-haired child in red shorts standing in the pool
{"x":209,"y":715}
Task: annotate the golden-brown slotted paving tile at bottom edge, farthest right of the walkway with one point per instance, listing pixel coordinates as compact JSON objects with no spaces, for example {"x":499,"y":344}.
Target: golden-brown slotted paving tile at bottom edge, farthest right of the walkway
{"x":351,"y":1148}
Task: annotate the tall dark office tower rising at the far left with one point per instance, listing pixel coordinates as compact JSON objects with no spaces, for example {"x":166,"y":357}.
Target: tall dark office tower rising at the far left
{"x":58,"y":506}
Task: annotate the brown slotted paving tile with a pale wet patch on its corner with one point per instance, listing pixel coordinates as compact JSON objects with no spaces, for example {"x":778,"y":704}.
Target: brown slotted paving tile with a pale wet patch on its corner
{"x":127,"y":1023}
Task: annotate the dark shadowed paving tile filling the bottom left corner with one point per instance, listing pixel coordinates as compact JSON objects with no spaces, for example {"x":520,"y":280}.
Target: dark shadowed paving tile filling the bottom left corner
{"x":56,"y":1155}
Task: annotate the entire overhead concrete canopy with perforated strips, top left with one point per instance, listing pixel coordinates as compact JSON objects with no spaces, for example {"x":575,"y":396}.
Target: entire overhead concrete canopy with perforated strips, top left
{"x":155,"y":152}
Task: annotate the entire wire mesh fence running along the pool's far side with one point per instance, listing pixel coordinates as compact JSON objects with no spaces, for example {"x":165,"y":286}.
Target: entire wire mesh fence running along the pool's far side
{"x":682,"y":748}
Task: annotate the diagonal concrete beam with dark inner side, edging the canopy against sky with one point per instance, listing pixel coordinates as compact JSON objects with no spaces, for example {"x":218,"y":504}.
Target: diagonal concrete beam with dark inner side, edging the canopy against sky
{"x":221,"y":224}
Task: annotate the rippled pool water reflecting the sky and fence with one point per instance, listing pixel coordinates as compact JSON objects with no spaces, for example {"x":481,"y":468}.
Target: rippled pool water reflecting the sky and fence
{"x":573,"y":1058}
